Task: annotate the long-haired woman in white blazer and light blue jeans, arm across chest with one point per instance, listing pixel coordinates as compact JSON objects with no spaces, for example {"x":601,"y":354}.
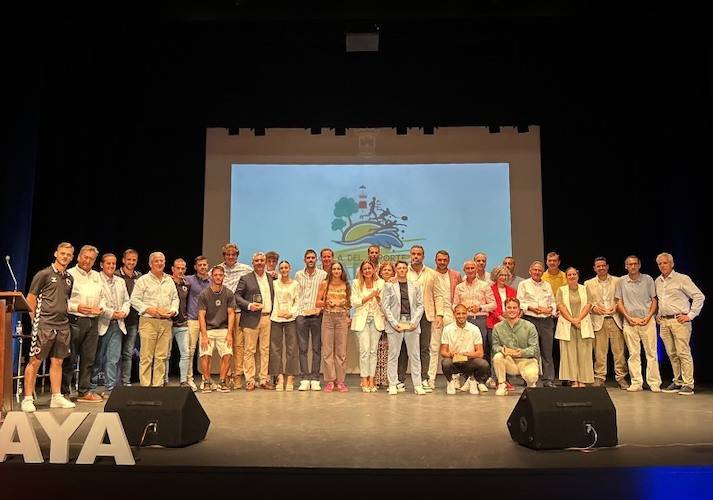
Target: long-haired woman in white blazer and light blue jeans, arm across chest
{"x":367,"y":321}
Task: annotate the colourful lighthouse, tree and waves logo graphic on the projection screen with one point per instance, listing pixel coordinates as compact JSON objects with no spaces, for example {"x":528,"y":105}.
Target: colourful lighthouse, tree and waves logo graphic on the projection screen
{"x":368,"y":221}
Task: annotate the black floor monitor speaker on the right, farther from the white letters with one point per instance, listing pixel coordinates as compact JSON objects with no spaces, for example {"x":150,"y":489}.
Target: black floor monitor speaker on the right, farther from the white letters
{"x":564,"y":417}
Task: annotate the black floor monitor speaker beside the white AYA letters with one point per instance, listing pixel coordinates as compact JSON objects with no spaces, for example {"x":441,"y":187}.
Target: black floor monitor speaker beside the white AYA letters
{"x":179,"y":417}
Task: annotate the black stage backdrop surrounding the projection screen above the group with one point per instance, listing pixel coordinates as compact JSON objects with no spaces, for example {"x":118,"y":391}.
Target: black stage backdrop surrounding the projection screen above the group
{"x":106,"y":130}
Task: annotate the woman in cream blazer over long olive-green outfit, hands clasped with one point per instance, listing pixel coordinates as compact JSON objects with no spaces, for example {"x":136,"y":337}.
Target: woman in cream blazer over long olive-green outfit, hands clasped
{"x":575,"y":331}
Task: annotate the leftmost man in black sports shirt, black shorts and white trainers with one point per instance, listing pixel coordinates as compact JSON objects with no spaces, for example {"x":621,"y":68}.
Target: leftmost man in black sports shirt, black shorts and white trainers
{"x":49,"y":292}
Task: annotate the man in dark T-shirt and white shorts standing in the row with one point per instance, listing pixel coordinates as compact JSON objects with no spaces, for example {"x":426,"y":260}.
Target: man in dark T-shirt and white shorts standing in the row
{"x":216,"y":319}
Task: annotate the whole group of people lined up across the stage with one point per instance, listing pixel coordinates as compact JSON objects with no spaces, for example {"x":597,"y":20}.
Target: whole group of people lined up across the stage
{"x":264,"y":323}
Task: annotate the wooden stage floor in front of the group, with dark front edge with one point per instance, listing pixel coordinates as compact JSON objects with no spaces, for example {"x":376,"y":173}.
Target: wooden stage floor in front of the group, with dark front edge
{"x":308,"y":439}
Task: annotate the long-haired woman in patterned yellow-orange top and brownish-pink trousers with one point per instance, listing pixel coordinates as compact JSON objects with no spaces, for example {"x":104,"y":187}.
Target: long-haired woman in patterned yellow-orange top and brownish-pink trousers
{"x":334,"y":298}
